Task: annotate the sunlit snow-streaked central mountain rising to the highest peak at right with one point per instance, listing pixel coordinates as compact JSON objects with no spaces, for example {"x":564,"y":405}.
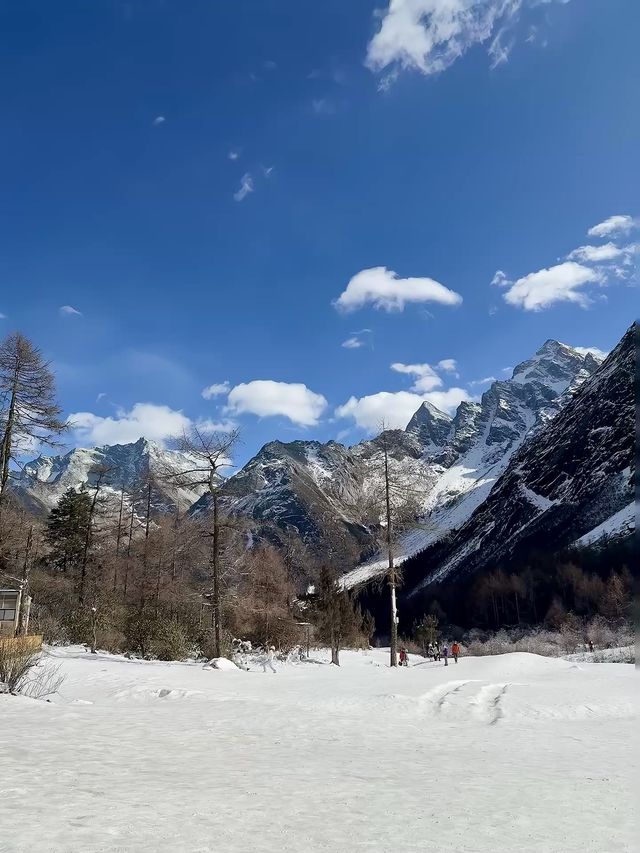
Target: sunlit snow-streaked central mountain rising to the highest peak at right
{"x":326,"y":492}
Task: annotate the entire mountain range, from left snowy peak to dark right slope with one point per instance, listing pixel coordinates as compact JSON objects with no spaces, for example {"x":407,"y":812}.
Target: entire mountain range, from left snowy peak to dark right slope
{"x":544,"y":458}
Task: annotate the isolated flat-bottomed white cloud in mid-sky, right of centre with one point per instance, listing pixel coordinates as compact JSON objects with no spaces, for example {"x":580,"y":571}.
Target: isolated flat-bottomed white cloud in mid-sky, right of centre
{"x":385,"y":290}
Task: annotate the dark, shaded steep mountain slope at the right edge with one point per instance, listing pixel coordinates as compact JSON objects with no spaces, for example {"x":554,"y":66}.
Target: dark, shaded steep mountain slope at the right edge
{"x":569,"y":477}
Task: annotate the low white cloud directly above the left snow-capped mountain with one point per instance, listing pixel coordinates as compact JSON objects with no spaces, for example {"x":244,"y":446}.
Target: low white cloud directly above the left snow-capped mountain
{"x":156,"y":423}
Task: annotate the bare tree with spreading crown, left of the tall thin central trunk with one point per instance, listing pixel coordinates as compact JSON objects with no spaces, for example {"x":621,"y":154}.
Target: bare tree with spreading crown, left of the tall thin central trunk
{"x":210,"y":452}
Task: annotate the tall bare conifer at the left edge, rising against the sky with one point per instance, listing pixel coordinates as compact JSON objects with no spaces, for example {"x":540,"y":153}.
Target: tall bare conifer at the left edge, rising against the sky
{"x":28,"y":410}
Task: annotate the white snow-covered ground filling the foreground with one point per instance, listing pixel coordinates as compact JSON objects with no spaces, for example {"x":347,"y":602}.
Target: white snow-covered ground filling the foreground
{"x":515,"y":752}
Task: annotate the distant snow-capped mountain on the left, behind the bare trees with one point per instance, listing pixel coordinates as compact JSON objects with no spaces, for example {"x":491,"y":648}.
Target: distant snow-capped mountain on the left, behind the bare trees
{"x":124,"y":466}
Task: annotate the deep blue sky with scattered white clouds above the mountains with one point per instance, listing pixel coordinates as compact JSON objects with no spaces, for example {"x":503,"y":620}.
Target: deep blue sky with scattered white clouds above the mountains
{"x":227,"y":192}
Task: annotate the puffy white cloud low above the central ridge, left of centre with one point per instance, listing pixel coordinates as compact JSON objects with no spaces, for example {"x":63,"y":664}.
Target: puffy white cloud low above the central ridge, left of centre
{"x":267,"y":398}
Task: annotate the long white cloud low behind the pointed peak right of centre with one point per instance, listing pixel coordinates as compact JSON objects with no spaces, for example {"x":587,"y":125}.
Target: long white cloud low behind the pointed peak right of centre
{"x":396,"y":409}
